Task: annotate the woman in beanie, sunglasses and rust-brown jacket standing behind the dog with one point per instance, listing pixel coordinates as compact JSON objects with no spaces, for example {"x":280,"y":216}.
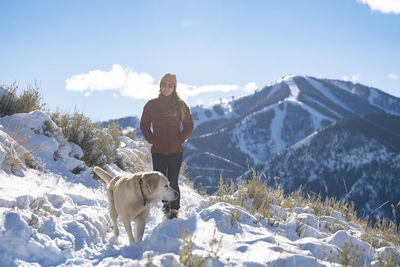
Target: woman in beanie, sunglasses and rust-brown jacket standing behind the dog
{"x":165,"y":114}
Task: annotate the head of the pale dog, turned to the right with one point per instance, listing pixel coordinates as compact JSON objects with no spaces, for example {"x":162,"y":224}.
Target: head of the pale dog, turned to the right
{"x":158,"y":187}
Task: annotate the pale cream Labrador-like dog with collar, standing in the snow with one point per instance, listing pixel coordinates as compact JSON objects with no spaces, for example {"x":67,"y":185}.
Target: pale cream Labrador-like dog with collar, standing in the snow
{"x":130,"y":198}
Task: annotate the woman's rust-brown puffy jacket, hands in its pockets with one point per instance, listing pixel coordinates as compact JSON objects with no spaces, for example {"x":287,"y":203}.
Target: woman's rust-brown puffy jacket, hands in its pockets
{"x":166,"y":136}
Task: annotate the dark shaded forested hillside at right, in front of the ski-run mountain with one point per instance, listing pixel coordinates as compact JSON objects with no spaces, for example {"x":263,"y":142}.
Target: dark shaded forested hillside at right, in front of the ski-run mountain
{"x":357,"y":159}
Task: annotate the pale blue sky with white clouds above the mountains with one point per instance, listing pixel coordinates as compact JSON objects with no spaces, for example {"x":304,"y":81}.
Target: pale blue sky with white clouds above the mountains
{"x":105,"y":58}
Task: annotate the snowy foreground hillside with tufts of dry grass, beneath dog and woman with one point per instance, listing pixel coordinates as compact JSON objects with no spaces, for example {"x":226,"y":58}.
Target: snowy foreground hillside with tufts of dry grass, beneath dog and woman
{"x":51,"y":216}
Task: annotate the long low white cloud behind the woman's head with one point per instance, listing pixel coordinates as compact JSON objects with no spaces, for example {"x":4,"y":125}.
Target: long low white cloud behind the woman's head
{"x":133,"y":84}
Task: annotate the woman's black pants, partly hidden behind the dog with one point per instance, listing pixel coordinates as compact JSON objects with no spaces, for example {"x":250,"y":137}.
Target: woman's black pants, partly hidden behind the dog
{"x":169,"y":165}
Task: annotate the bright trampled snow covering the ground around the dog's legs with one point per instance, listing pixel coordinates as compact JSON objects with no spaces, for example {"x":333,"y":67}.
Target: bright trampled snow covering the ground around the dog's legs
{"x":49,"y":217}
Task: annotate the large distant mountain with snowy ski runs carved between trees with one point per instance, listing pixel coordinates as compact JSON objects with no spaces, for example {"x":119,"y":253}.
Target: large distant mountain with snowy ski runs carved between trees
{"x":234,"y":134}
